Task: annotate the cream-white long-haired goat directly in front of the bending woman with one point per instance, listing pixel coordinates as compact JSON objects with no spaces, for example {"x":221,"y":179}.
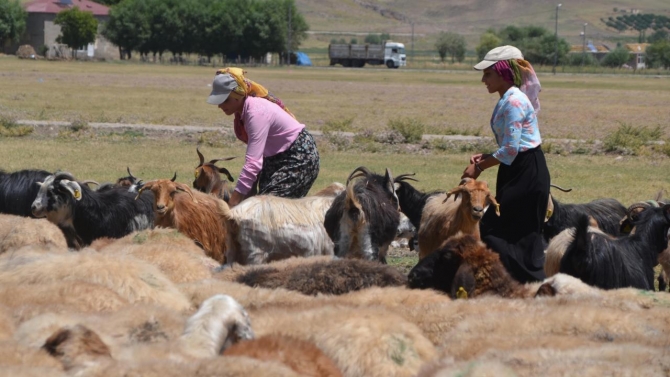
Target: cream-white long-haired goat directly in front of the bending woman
{"x":267,"y":228}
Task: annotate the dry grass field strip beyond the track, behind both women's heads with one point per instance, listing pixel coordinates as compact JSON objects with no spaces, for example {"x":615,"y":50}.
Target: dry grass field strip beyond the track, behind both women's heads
{"x":585,"y":106}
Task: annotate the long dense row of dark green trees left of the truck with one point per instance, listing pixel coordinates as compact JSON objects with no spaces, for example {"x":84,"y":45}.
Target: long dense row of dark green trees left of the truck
{"x":230,"y":28}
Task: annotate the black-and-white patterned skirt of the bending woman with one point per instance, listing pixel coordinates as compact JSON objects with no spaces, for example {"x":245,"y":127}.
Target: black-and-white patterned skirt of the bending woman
{"x":291,"y":173}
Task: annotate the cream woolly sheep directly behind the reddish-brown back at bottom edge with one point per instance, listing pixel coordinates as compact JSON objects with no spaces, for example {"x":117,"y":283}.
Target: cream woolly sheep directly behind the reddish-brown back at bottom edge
{"x":361,"y":341}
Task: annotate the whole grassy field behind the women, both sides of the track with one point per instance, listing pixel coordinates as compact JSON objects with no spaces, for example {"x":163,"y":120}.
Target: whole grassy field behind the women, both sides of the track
{"x":587,"y":107}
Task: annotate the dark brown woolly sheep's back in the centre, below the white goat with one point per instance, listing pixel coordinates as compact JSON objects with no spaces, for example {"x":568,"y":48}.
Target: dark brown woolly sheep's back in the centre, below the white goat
{"x":327,"y":277}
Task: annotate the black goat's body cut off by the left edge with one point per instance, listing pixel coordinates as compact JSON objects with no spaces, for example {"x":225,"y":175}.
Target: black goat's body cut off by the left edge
{"x":19,"y":189}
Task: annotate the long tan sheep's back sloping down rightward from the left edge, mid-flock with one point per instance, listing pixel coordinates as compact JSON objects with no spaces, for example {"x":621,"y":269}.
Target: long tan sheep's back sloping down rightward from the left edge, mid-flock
{"x":131,"y":278}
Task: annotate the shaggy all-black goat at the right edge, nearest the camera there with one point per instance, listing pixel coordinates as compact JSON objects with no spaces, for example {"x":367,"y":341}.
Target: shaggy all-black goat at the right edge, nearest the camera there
{"x":611,"y":263}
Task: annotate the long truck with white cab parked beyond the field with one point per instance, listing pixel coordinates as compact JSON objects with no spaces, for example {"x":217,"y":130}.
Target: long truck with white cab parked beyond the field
{"x":392,"y":54}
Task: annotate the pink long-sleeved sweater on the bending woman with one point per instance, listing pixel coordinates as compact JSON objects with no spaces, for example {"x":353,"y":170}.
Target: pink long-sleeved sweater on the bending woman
{"x":270,"y":131}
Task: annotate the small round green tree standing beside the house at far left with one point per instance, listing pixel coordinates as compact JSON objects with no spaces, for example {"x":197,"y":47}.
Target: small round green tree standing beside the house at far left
{"x":78,"y":28}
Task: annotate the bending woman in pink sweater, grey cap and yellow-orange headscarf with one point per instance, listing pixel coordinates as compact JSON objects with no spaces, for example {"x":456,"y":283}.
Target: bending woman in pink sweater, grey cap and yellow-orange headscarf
{"x":281,"y":155}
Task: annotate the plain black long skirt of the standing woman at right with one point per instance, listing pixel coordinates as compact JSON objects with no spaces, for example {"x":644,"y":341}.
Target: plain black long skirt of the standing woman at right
{"x":522,"y":190}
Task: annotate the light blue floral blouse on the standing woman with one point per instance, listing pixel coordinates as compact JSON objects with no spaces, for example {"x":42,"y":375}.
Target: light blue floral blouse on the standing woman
{"x":514,"y":123}
